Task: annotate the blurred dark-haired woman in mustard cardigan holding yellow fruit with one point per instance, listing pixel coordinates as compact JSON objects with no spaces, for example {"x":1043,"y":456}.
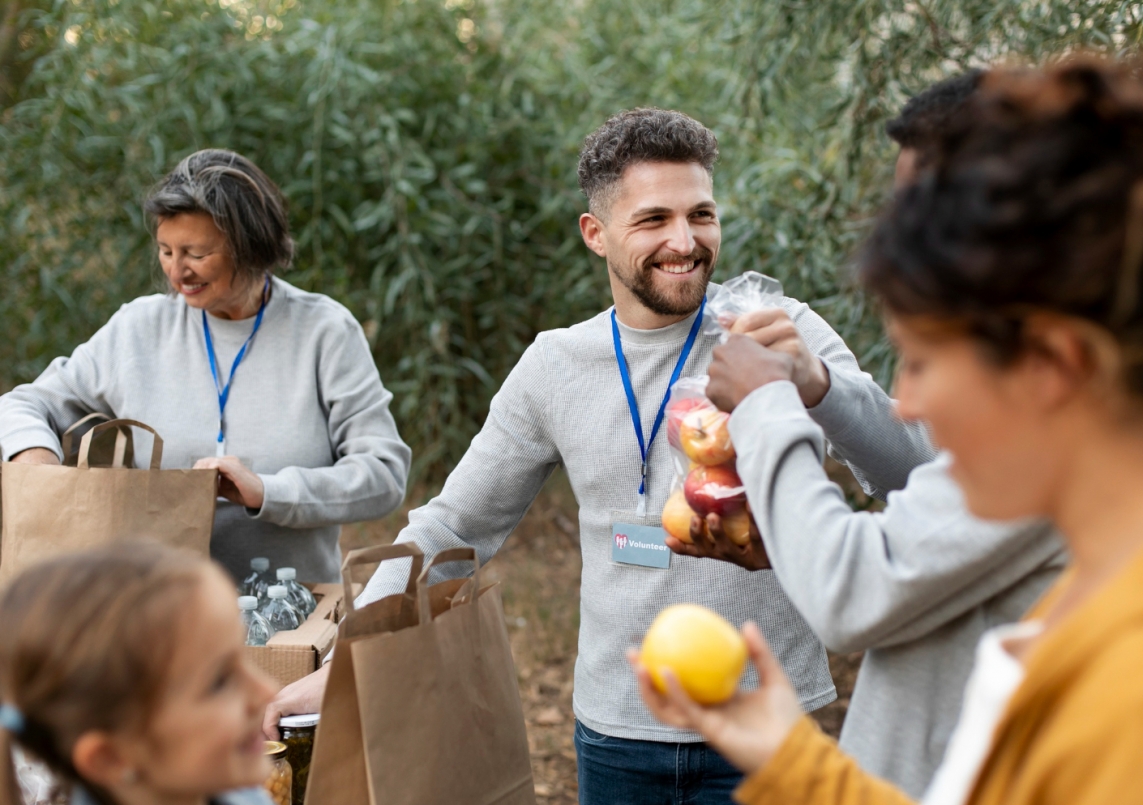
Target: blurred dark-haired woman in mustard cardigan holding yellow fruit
{"x":1013,"y":280}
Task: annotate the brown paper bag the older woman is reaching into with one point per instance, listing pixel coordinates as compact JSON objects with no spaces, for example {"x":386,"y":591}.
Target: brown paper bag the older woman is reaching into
{"x":53,"y":511}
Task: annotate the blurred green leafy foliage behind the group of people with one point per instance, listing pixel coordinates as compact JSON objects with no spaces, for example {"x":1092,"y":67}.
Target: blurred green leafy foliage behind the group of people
{"x":428,"y":149}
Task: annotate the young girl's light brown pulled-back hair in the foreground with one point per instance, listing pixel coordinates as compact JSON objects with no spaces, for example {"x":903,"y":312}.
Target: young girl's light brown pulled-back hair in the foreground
{"x":87,"y":643}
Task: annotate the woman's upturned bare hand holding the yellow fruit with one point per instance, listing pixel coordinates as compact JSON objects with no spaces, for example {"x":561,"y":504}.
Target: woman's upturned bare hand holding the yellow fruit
{"x":749,"y":729}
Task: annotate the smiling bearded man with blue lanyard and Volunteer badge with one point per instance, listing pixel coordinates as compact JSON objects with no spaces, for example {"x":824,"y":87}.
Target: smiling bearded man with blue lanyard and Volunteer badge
{"x":574,"y":401}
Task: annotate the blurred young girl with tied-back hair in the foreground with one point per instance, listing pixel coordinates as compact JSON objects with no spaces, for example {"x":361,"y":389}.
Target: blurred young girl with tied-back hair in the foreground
{"x":123,"y":671}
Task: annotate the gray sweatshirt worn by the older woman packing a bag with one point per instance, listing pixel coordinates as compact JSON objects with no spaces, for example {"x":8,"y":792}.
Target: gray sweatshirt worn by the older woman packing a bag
{"x":307,"y":412}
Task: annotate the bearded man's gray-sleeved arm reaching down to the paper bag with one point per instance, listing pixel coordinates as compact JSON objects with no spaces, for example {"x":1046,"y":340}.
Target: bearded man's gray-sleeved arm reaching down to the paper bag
{"x":493,"y":487}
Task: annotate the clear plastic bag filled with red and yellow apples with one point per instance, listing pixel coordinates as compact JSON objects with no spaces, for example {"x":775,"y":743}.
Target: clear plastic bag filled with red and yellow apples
{"x":707,"y":480}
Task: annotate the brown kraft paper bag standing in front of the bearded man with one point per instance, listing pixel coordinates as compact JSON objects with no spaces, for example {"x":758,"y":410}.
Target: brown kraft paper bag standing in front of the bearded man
{"x":422,"y":704}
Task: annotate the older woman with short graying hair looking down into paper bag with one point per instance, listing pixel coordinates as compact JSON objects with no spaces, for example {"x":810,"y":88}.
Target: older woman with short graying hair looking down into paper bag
{"x":238,"y":371}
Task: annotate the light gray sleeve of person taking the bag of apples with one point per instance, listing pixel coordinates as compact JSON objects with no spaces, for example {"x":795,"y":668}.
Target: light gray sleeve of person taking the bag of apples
{"x":870,"y":580}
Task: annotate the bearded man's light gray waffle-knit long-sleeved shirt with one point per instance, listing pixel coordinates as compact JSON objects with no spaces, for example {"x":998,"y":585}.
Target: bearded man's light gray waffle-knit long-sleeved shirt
{"x":564,"y":404}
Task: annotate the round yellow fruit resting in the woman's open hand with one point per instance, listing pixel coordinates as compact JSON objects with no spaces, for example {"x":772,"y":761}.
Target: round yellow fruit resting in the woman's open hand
{"x":702,"y":650}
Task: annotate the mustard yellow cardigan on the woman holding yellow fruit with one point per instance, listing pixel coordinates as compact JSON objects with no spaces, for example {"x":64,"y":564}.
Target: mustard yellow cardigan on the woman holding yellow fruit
{"x":1073,"y":734}
